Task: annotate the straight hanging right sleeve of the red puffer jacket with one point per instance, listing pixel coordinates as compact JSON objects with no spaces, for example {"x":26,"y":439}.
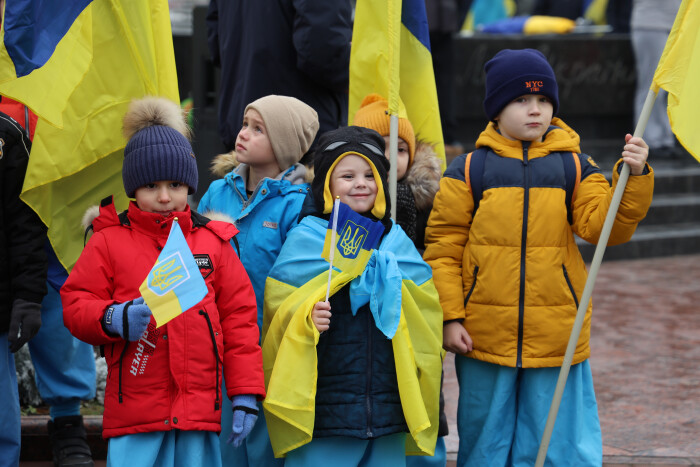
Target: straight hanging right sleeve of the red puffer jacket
{"x":235,"y":300}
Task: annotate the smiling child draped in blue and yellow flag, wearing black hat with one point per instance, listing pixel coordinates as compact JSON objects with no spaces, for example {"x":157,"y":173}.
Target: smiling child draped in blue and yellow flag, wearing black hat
{"x":379,"y":333}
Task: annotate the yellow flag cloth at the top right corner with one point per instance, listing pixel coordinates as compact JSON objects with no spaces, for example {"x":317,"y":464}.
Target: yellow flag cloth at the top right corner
{"x":678,"y":72}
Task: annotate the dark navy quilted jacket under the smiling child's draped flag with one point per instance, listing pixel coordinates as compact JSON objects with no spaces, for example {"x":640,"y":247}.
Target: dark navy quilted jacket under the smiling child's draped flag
{"x":357,"y":392}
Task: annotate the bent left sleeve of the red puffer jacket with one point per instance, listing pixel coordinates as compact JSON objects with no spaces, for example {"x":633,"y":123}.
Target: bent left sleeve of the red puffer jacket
{"x":87,"y":293}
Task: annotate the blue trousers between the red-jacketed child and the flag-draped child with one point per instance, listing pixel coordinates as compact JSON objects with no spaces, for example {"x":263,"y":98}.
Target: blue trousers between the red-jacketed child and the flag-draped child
{"x":256,"y":450}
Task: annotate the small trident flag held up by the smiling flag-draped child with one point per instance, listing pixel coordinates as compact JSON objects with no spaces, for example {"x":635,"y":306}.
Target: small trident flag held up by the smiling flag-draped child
{"x":356,"y":237}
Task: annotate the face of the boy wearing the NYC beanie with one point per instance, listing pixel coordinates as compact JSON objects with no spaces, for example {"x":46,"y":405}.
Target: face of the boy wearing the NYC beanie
{"x":526,"y":118}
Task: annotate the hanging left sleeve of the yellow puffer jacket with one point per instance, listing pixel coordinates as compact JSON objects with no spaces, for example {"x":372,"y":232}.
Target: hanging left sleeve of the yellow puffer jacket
{"x":446,"y":238}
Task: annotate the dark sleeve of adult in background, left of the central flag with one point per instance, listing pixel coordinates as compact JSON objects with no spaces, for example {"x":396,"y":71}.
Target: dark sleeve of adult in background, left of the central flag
{"x":329,"y":23}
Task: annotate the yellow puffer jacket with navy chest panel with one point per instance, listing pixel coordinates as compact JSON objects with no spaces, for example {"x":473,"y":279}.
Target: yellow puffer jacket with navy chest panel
{"x":514,"y":275}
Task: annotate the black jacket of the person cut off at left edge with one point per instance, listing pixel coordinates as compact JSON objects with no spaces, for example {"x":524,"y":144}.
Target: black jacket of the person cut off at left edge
{"x":22,"y":234}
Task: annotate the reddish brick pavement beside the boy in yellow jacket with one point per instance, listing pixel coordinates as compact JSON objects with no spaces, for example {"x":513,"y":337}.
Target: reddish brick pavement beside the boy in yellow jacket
{"x":645,"y":342}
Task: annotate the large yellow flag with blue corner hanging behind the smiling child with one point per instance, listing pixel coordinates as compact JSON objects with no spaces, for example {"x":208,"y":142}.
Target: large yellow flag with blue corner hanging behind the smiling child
{"x":390,"y":56}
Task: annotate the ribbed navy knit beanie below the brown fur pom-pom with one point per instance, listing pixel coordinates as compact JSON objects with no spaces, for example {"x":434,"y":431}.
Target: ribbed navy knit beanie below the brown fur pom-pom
{"x":158,"y":153}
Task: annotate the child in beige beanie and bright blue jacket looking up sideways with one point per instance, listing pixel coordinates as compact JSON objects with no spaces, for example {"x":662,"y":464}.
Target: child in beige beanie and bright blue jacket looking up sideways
{"x":263,"y":195}
